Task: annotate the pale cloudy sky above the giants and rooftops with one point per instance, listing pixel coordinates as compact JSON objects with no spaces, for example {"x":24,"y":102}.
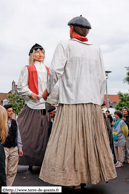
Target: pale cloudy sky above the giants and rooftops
{"x":24,"y":23}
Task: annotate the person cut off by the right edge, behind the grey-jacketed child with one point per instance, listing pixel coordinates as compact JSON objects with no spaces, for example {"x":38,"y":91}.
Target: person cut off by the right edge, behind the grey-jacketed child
{"x":125,"y":117}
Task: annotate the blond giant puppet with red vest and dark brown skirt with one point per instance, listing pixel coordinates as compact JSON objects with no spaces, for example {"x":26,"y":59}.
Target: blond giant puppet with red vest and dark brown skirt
{"x":33,"y":119}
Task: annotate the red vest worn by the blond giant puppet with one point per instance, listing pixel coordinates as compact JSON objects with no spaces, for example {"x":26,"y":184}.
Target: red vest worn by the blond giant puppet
{"x":33,"y":78}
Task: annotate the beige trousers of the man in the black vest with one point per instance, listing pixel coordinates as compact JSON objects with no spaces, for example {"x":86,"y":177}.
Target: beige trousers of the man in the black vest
{"x":11,"y":162}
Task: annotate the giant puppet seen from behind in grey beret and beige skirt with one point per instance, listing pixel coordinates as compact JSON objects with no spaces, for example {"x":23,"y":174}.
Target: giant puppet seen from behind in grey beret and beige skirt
{"x":78,"y":149}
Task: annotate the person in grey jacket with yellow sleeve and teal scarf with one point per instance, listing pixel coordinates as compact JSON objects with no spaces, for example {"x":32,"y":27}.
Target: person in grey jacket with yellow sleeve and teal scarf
{"x":120,"y":132}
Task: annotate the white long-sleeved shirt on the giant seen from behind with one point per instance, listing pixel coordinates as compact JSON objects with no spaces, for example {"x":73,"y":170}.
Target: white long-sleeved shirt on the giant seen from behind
{"x":79,"y":68}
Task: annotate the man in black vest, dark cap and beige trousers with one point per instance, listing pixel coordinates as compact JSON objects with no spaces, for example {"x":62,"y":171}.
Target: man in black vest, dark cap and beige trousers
{"x":12,"y":146}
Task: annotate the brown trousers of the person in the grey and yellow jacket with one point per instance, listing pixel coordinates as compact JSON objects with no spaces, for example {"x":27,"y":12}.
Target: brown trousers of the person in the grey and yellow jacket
{"x":119,"y":152}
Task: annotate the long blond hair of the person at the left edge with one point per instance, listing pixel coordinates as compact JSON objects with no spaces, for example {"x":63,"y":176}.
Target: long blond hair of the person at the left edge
{"x":3,"y":124}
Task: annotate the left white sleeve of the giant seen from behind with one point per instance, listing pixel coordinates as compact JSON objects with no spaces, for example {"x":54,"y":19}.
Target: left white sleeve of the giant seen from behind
{"x":57,"y":66}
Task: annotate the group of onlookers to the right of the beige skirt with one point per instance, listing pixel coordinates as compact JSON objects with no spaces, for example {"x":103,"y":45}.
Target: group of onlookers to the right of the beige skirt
{"x":118,"y":131}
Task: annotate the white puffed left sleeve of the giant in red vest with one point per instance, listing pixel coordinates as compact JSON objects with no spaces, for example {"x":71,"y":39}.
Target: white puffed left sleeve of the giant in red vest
{"x":22,"y":86}
